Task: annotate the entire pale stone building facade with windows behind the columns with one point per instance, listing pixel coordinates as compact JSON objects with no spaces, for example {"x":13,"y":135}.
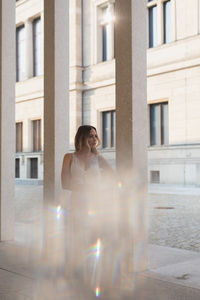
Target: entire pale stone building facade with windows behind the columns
{"x":173,"y":89}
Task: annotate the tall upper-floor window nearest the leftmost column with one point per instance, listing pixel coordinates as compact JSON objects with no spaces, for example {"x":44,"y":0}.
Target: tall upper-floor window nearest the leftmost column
{"x":20,"y":53}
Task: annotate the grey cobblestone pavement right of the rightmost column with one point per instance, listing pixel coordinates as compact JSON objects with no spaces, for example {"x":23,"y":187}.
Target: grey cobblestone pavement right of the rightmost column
{"x":174,"y":221}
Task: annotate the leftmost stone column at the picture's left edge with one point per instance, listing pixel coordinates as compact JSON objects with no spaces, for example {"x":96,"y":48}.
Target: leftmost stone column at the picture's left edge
{"x":7,"y":118}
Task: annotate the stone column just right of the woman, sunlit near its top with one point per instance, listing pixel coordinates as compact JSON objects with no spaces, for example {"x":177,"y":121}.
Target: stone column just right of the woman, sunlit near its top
{"x":131,"y":126}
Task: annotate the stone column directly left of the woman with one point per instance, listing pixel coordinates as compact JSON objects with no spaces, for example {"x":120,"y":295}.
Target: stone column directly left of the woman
{"x":56,"y":97}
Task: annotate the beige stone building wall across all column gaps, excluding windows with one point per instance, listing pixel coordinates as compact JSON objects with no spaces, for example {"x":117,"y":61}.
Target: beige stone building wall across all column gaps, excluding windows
{"x":173,"y":73}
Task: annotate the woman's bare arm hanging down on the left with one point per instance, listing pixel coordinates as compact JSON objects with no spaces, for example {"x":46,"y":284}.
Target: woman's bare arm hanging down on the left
{"x":66,"y":172}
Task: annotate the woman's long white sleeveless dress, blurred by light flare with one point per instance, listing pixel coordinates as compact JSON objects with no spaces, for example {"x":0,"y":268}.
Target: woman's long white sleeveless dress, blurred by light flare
{"x":91,"y":224}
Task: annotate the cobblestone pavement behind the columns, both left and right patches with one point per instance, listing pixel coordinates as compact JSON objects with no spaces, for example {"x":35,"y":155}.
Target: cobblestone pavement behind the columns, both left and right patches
{"x":174,"y":220}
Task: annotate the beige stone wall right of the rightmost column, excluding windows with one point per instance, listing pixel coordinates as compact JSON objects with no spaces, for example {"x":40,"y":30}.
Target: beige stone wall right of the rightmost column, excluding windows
{"x":173,"y":74}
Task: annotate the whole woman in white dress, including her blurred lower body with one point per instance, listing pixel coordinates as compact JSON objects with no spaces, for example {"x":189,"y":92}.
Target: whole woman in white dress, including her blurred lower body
{"x":90,"y":178}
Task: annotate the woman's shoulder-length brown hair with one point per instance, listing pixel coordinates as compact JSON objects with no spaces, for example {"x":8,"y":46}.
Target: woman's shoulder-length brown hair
{"x":81,"y":137}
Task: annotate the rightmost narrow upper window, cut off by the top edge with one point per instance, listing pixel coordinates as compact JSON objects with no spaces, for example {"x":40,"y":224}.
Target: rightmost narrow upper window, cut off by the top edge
{"x":167,"y":21}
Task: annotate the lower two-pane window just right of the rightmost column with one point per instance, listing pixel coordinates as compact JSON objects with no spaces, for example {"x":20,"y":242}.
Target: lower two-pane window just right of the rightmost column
{"x":159,"y":124}
